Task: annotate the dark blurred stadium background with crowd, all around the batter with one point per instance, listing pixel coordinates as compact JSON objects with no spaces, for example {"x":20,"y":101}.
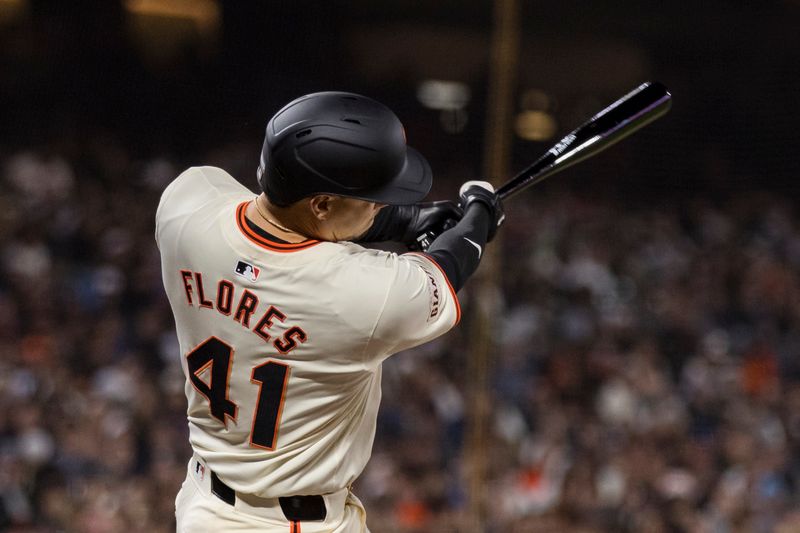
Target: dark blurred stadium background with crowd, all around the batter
{"x":644,"y":373}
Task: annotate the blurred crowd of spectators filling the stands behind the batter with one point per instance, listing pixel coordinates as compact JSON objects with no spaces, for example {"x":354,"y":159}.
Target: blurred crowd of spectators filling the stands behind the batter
{"x":644,"y":376}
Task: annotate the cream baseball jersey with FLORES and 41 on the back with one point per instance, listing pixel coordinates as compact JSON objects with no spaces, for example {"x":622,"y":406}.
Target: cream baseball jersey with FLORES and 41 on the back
{"x":282,"y":343}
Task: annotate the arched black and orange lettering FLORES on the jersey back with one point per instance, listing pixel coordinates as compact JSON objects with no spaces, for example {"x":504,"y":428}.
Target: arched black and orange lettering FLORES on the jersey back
{"x":243,"y":312}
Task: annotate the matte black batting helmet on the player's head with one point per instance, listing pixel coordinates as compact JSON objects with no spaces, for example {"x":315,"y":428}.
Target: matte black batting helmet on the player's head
{"x":344,"y":144}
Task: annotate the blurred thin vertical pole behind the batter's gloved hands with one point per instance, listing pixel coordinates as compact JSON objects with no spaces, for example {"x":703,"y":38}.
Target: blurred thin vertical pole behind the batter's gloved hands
{"x":502,"y":81}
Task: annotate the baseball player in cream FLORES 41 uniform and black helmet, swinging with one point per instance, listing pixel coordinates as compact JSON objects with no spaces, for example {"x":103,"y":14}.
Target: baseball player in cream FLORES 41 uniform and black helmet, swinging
{"x":284,"y":319}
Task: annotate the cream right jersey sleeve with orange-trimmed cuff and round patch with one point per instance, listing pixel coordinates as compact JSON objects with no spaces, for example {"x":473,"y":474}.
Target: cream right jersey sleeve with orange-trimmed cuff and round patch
{"x":420,"y":305}
